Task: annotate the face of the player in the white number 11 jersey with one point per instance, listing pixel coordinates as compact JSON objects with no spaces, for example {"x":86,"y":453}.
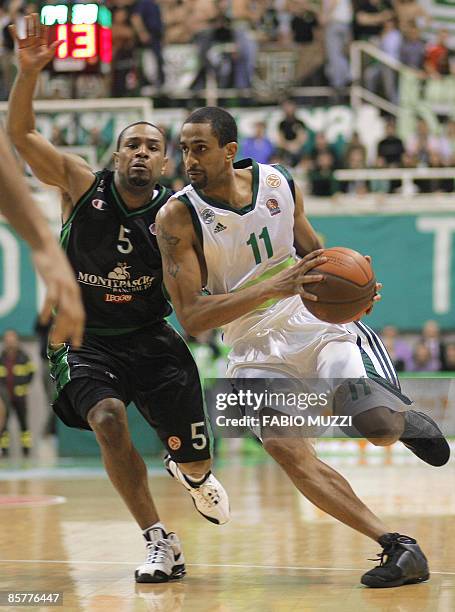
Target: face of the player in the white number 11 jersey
{"x":205,"y":161}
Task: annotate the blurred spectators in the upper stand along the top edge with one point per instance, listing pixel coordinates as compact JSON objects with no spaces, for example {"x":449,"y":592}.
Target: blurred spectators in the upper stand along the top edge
{"x":228,"y":35}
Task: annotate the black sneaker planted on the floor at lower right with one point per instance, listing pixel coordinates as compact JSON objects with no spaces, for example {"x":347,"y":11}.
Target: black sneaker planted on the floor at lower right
{"x":401,"y":562}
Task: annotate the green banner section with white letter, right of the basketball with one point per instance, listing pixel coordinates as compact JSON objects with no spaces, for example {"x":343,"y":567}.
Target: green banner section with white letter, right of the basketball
{"x":413,"y":256}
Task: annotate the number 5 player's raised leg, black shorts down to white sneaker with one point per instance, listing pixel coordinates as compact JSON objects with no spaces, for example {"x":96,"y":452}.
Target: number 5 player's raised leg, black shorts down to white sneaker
{"x":168,"y":394}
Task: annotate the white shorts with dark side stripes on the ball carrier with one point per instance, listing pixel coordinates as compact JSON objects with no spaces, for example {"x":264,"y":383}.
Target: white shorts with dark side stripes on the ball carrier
{"x":306,"y":350}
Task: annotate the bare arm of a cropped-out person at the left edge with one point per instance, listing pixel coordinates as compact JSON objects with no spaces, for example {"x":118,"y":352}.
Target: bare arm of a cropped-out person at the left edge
{"x":62,"y":290}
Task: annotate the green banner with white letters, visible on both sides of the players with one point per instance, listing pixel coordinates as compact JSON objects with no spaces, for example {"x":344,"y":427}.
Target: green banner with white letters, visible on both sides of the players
{"x":413,"y":256}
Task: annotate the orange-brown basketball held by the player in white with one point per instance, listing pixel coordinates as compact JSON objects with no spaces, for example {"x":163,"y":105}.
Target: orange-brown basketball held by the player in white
{"x":347,"y":289}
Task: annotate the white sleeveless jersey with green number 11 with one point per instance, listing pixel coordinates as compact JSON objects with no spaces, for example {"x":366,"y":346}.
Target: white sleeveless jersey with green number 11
{"x":244,"y":246}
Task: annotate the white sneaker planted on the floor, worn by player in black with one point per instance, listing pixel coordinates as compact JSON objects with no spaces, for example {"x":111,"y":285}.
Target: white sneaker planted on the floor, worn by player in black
{"x":164,"y":558}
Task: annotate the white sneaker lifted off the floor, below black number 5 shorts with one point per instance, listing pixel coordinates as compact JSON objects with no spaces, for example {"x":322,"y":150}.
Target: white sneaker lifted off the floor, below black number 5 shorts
{"x":209,"y":497}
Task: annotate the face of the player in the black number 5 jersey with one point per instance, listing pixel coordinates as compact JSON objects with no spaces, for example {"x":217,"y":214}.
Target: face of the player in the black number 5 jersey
{"x":140,"y":160}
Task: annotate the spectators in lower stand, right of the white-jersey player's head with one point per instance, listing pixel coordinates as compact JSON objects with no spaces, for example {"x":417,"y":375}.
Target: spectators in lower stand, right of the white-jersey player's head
{"x":314,"y":160}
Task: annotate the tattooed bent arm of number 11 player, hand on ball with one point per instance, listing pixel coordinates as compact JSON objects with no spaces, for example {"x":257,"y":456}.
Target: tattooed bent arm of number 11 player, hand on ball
{"x":183,"y":278}
